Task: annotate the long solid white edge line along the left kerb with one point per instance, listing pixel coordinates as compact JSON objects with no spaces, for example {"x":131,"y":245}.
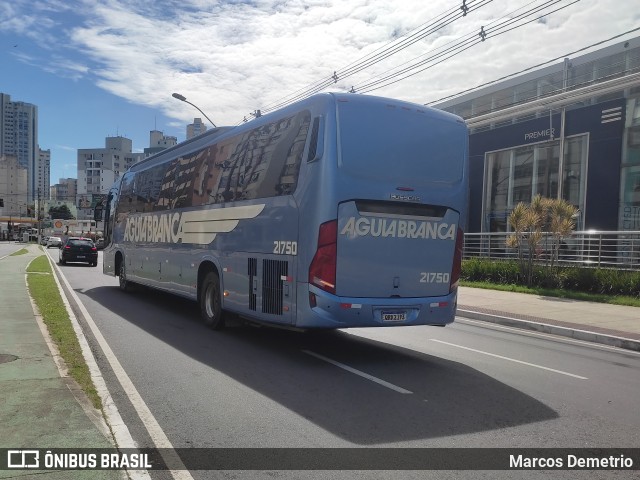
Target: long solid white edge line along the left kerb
{"x":158,"y":437}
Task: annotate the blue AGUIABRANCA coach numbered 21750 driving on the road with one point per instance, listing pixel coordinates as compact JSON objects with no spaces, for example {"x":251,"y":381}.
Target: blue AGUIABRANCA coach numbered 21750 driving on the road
{"x":340,"y":210}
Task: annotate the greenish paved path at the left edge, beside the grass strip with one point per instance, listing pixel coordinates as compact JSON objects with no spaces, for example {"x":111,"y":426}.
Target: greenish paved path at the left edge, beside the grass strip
{"x":38,"y":407}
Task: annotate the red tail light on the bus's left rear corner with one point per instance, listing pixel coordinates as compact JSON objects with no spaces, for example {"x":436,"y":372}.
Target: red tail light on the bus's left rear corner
{"x":322,"y":272}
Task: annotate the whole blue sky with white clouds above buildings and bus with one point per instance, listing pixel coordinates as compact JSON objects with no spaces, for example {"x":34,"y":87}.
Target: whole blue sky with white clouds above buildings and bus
{"x":106,"y":68}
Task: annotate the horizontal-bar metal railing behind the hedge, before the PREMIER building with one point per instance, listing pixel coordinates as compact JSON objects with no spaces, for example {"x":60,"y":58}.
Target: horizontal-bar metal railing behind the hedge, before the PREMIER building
{"x":605,"y":249}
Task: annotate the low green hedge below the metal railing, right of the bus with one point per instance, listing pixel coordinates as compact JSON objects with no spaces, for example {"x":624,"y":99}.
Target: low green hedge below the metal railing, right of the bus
{"x":590,"y":280}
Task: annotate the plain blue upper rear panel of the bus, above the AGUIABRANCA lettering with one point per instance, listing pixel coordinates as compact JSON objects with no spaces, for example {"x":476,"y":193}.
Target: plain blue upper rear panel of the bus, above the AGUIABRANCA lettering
{"x":400,"y":145}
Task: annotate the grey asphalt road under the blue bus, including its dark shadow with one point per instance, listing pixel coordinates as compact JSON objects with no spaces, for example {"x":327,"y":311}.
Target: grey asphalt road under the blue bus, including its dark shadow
{"x":467,"y":385}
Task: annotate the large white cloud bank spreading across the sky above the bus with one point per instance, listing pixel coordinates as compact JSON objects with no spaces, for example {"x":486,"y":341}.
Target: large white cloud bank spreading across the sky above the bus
{"x":231,"y":58}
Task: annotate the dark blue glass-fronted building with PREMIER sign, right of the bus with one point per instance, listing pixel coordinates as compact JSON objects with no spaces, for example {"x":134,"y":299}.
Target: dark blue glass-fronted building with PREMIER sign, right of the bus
{"x":570,"y":130}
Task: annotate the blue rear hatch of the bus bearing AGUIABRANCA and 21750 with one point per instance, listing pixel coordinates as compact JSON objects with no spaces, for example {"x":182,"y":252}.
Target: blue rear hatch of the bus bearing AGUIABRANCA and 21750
{"x":389,"y":249}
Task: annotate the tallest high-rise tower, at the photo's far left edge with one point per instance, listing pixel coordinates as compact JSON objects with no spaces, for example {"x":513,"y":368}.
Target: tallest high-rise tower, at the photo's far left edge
{"x":19,"y":138}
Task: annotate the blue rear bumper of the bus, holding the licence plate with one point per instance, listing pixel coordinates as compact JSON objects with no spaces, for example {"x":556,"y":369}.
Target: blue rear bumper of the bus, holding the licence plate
{"x":324,"y":310}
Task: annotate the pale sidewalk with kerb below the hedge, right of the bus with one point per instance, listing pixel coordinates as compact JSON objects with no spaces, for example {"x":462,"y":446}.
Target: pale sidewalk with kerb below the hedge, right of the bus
{"x":613,"y":325}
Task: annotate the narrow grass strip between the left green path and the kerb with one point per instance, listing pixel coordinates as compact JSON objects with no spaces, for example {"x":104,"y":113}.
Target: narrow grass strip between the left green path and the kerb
{"x":44,"y":291}
